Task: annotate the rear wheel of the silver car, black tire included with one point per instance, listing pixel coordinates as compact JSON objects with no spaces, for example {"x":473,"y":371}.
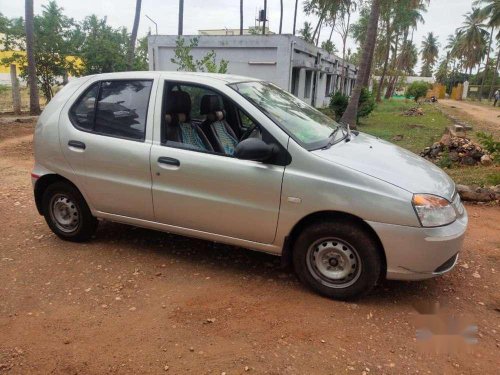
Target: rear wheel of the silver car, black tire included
{"x":81,"y":224}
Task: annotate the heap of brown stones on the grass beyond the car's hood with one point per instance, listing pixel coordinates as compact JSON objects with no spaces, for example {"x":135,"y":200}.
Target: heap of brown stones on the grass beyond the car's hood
{"x":459,"y":150}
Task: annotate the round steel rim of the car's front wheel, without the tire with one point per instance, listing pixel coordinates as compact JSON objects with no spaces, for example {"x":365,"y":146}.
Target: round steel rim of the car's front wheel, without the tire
{"x":334,"y":262}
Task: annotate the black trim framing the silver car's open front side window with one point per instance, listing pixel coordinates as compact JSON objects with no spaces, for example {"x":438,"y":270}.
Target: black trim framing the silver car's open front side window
{"x":172,"y":82}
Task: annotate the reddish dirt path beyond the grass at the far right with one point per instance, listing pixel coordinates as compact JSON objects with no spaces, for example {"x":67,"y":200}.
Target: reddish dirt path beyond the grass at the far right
{"x":486,"y":117}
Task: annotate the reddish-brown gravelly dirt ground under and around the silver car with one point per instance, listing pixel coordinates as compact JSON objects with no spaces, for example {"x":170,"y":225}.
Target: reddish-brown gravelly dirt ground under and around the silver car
{"x":139,"y":301}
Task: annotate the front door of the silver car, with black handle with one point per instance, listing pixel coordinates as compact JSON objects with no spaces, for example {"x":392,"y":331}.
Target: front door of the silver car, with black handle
{"x":210,"y":191}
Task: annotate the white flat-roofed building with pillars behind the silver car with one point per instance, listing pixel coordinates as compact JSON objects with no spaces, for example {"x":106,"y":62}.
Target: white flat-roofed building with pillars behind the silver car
{"x":309,"y":72}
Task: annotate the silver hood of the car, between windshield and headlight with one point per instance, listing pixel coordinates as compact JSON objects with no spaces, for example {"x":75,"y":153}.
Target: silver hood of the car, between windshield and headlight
{"x":390,"y":163}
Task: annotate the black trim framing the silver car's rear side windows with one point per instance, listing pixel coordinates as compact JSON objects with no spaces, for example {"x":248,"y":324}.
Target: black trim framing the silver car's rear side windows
{"x":99,"y":84}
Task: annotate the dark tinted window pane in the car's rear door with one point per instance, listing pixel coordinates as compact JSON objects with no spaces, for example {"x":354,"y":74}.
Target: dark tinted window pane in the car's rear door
{"x":122,"y":108}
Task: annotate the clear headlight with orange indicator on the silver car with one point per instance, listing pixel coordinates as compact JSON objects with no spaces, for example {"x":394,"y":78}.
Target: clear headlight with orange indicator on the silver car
{"x":433,"y":211}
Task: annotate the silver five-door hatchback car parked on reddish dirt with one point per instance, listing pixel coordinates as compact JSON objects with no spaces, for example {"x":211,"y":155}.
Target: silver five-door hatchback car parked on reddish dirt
{"x":238,"y":160}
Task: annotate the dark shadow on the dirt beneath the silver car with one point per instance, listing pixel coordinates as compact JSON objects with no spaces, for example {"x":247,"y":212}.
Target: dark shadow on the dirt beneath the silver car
{"x":244,"y":262}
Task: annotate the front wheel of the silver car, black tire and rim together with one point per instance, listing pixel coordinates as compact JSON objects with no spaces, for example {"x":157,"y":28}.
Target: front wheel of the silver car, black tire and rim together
{"x":337,"y":241}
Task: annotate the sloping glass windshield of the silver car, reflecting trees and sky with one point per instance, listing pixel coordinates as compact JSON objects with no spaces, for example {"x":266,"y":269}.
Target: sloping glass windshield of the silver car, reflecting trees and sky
{"x":303,"y":123}
